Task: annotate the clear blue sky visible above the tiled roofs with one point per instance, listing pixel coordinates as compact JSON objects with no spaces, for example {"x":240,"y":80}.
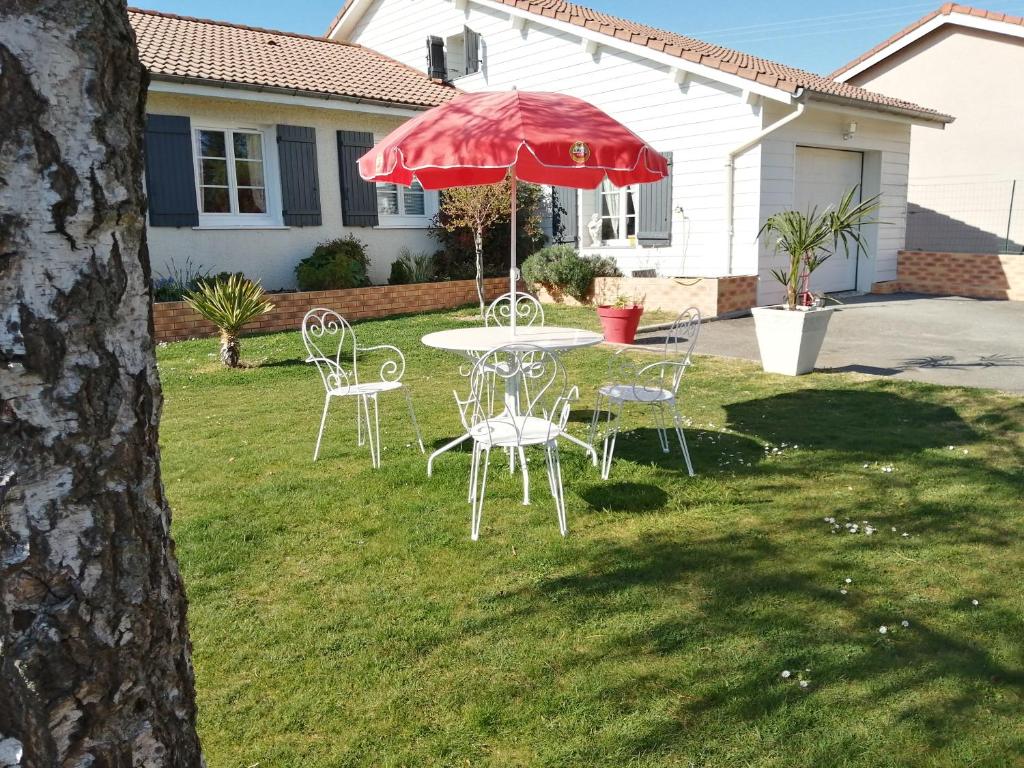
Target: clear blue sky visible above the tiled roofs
{"x":817,"y":36}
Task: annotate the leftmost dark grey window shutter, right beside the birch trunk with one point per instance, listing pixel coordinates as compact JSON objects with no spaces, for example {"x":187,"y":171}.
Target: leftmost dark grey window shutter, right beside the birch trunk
{"x":170,"y":175}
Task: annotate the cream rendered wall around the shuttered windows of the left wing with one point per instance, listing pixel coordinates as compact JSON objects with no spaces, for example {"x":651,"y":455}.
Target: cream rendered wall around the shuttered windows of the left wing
{"x":271,"y":254}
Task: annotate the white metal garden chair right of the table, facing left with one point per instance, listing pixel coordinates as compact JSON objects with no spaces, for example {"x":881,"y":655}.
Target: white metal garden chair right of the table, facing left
{"x":655,"y":386}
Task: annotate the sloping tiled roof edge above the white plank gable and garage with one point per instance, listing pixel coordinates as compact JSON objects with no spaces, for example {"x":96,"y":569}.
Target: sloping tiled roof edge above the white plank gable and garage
{"x":755,"y":69}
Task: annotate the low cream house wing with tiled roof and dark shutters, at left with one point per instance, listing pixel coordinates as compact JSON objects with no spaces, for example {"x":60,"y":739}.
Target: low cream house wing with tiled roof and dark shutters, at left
{"x":252,"y":140}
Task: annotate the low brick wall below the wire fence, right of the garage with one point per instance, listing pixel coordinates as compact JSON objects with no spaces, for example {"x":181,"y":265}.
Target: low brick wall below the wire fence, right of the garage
{"x":980,"y":276}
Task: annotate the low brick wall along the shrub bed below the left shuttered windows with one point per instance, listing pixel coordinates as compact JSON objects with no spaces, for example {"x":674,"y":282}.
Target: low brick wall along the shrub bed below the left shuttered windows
{"x":175,"y":321}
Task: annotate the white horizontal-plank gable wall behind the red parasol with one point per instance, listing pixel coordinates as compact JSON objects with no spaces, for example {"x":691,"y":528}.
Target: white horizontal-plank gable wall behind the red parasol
{"x":699,"y":122}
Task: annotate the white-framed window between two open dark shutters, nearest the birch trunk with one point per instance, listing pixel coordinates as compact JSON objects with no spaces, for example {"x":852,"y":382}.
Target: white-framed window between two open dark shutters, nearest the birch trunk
{"x":272,"y":180}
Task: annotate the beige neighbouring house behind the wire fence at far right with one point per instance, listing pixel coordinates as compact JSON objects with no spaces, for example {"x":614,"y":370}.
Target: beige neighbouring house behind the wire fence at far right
{"x":964,"y":182}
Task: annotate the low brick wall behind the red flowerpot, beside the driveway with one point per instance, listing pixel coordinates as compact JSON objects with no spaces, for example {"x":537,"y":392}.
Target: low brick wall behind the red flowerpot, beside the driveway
{"x":713,"y":296}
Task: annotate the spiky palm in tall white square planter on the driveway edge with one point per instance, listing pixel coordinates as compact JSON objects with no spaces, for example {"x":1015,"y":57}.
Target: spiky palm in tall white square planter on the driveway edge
{"x":790,"y":335}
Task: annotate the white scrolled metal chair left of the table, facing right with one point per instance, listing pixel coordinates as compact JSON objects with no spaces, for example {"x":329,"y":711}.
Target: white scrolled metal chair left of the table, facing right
{"x":331,"y":344}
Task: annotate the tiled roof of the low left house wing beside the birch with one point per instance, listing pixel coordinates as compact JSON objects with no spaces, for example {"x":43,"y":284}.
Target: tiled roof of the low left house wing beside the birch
{"x":185,"y":49}
